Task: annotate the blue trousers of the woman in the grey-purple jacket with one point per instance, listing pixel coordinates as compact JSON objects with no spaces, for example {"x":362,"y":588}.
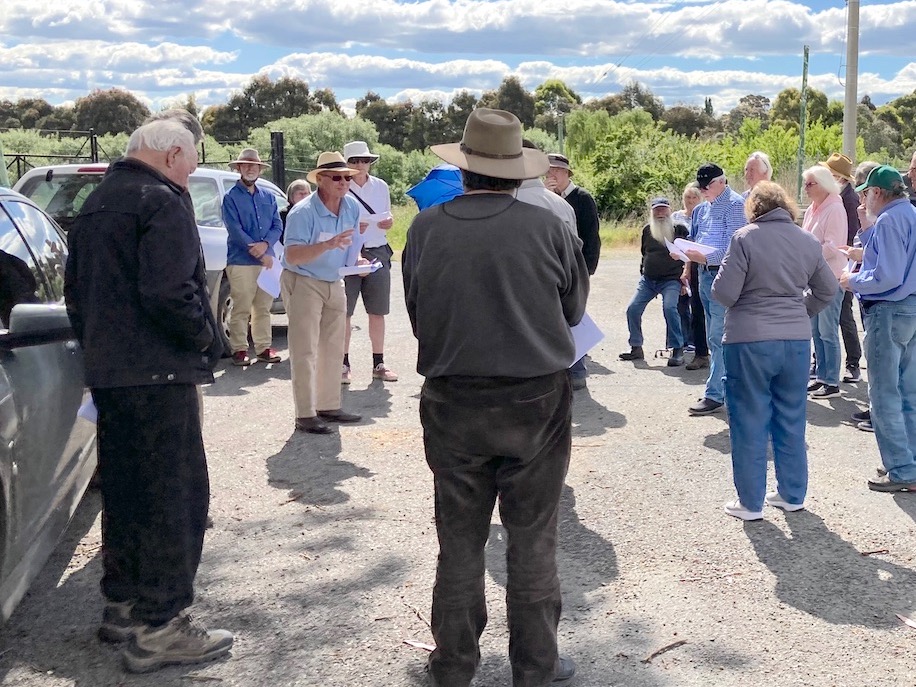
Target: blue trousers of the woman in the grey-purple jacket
{"x":765,"y":389}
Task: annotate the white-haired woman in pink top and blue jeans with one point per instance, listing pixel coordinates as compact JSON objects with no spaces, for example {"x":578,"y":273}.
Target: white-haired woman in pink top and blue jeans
{"x":825,"y":218}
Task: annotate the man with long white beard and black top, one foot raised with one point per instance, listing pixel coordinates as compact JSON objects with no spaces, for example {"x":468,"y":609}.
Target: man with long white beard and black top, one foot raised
{"x":660,"y":275}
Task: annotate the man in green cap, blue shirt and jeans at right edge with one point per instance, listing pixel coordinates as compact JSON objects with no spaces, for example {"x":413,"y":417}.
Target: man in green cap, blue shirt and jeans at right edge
{"x":886,"y":285}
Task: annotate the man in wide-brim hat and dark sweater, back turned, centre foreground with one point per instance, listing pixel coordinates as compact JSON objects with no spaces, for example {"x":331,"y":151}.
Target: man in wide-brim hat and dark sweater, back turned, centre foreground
{"x":492,"y":286}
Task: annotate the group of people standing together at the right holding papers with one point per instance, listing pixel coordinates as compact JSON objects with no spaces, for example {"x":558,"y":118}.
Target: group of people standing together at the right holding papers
{"x":769,"y":288}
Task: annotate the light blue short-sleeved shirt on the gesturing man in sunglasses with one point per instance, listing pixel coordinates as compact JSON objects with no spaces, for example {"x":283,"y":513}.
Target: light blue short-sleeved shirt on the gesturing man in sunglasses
{"x":307,"y":220}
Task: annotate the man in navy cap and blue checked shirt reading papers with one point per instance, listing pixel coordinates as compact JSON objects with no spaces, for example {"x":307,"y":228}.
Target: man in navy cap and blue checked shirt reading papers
{"x":713,"y":224}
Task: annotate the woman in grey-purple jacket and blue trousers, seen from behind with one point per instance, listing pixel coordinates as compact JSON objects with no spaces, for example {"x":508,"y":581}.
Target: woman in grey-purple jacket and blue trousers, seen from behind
{"x":762,"y":283}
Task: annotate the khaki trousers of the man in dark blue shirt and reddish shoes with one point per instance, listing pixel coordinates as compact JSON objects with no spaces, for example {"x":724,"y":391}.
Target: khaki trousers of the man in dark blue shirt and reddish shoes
{"x":249,"y":302}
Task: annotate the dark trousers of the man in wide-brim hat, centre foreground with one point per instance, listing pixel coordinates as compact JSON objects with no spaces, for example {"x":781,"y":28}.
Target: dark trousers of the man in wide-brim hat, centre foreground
{"x":487,"y":438}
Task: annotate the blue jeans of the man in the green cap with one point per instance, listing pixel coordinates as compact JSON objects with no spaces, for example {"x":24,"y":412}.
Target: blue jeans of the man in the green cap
{"x":890,"y":348}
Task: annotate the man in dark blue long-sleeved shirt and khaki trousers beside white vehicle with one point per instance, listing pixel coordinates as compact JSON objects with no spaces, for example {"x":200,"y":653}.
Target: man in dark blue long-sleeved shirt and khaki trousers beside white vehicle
{"x":253,"y":222}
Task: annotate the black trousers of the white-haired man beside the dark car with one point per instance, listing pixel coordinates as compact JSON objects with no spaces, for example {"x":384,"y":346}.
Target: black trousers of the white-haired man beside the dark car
{"x":155,"y":496}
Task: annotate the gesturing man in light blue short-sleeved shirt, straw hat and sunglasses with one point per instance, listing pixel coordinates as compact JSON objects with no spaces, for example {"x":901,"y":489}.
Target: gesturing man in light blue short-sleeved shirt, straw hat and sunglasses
{"x":318,"y":231}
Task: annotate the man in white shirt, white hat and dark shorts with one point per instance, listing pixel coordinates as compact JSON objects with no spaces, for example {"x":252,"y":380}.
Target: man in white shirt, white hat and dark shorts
{"x":375,"y":208}
